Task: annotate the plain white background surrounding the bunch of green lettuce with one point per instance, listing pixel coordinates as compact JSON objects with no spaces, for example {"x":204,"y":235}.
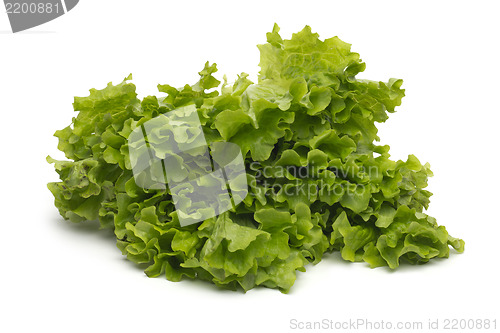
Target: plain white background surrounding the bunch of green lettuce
{"x":62,"y":277}
